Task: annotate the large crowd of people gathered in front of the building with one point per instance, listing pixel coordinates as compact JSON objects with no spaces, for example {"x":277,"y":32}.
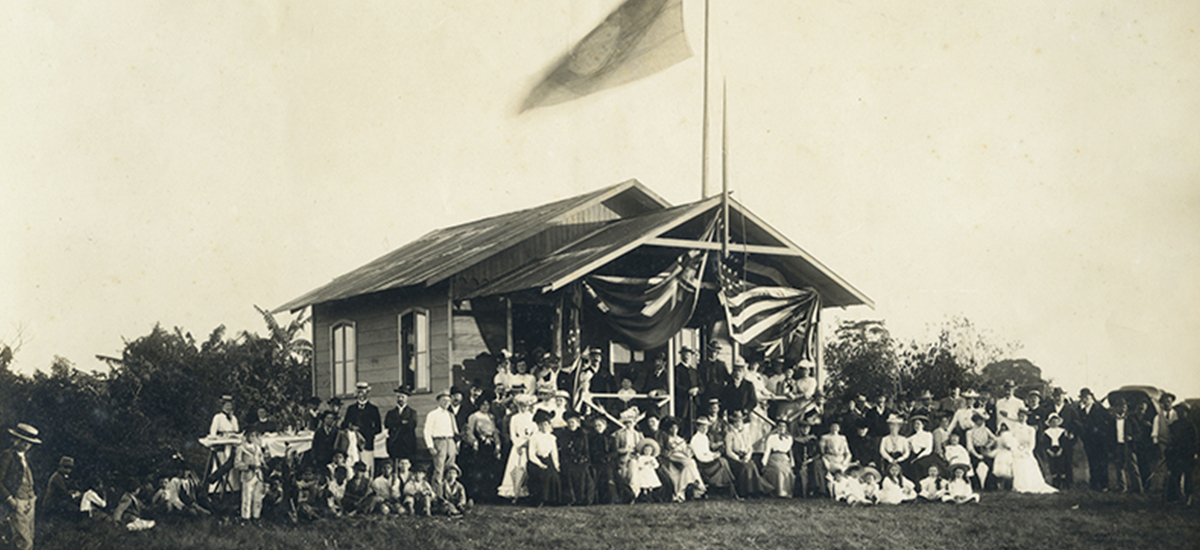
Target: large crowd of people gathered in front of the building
{"x":543,"y":435}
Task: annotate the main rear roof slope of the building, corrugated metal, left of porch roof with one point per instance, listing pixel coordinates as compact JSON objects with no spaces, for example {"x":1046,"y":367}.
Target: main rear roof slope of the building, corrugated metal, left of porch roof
{"x":447,"y":252}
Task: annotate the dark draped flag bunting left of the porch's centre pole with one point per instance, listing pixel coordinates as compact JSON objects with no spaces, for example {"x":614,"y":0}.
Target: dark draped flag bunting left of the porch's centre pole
{"x":650,"y":312}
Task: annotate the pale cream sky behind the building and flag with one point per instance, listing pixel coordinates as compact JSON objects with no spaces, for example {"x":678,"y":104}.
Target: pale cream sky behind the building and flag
{"x":1031,"y":166}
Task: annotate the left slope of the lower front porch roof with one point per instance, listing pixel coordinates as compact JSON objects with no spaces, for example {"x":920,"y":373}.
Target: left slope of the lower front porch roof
{"x":596,"y":250}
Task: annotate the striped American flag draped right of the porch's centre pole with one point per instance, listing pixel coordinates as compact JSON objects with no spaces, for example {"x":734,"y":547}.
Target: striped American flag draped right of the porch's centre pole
{"x":772,"y":320}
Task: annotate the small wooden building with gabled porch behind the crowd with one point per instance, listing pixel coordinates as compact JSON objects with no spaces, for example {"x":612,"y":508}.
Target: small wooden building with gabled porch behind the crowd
{"x":435,"y":313}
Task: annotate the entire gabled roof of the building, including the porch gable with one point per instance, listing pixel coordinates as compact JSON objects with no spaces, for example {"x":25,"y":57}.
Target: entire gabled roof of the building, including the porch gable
{"x":446,"y":253}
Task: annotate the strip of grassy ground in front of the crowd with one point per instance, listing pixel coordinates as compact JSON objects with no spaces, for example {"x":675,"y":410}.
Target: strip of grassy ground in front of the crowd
{"x":1064,"y":522}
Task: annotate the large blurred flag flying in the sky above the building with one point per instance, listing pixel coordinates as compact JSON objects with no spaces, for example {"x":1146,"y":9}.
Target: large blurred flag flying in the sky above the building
{"x":637,"y":40}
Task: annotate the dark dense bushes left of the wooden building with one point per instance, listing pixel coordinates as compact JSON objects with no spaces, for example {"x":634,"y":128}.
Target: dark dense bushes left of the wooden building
{"x":159,"y":397}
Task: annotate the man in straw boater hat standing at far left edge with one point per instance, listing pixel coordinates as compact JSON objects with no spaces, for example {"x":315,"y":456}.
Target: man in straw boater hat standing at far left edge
{"x":17,"y":486}
